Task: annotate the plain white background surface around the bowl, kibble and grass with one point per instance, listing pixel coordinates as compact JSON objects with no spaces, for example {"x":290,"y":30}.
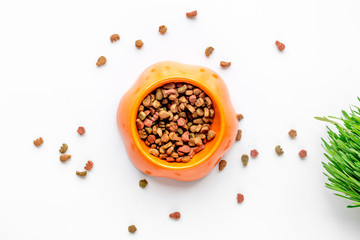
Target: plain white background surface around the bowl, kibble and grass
{"x":49,"y":85}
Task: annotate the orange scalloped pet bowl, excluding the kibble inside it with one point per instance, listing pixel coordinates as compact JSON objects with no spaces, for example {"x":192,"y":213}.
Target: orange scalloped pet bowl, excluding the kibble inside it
{"x":224,"y":121}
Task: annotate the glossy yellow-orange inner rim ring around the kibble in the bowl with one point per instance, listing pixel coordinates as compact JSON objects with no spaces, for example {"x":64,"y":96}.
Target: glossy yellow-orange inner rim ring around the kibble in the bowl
{"x":163,"y":163}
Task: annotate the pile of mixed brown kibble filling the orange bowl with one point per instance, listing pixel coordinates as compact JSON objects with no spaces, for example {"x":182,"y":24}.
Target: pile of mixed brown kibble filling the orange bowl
{"x":174,"y":121}
